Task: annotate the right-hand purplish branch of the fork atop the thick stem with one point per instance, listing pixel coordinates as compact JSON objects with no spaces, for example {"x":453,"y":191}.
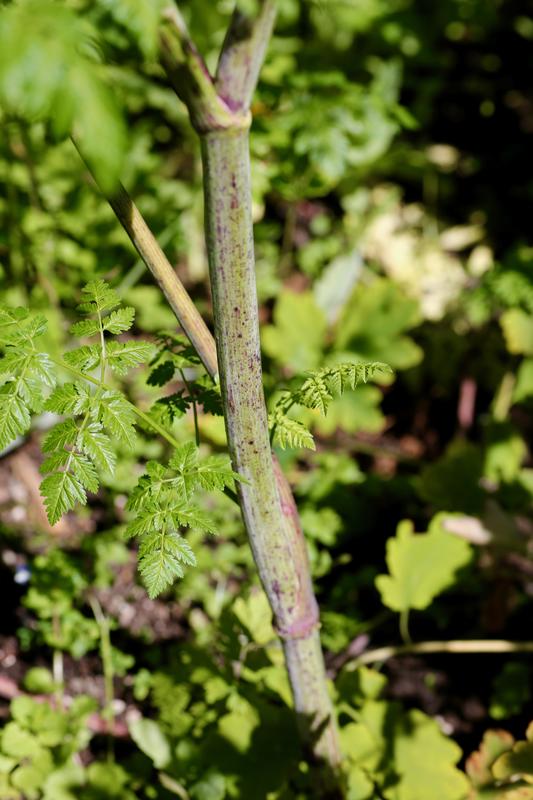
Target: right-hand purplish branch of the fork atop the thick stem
{"x":242,"y":55}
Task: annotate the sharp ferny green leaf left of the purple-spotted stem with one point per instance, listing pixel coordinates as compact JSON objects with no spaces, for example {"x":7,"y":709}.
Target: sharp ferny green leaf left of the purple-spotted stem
{"x":97,"y":417}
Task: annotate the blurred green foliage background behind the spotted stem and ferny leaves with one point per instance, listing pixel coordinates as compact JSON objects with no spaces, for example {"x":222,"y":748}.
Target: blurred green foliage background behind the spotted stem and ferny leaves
{"x":389,"y":146}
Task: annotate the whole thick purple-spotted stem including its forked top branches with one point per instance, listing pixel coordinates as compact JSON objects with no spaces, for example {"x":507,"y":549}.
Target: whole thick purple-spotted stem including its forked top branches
{"x":220,"y":114}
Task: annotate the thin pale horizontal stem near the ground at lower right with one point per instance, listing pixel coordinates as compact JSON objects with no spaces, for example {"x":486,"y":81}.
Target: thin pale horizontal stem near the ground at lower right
{"x":472,"y":646}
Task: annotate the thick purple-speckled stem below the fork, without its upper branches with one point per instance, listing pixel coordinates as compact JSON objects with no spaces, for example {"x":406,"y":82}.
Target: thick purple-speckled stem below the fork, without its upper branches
{"x":269,"y":513}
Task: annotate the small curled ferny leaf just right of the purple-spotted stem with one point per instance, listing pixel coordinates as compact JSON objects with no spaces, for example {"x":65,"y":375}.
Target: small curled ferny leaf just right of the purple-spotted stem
{"x":316,"y":392}
